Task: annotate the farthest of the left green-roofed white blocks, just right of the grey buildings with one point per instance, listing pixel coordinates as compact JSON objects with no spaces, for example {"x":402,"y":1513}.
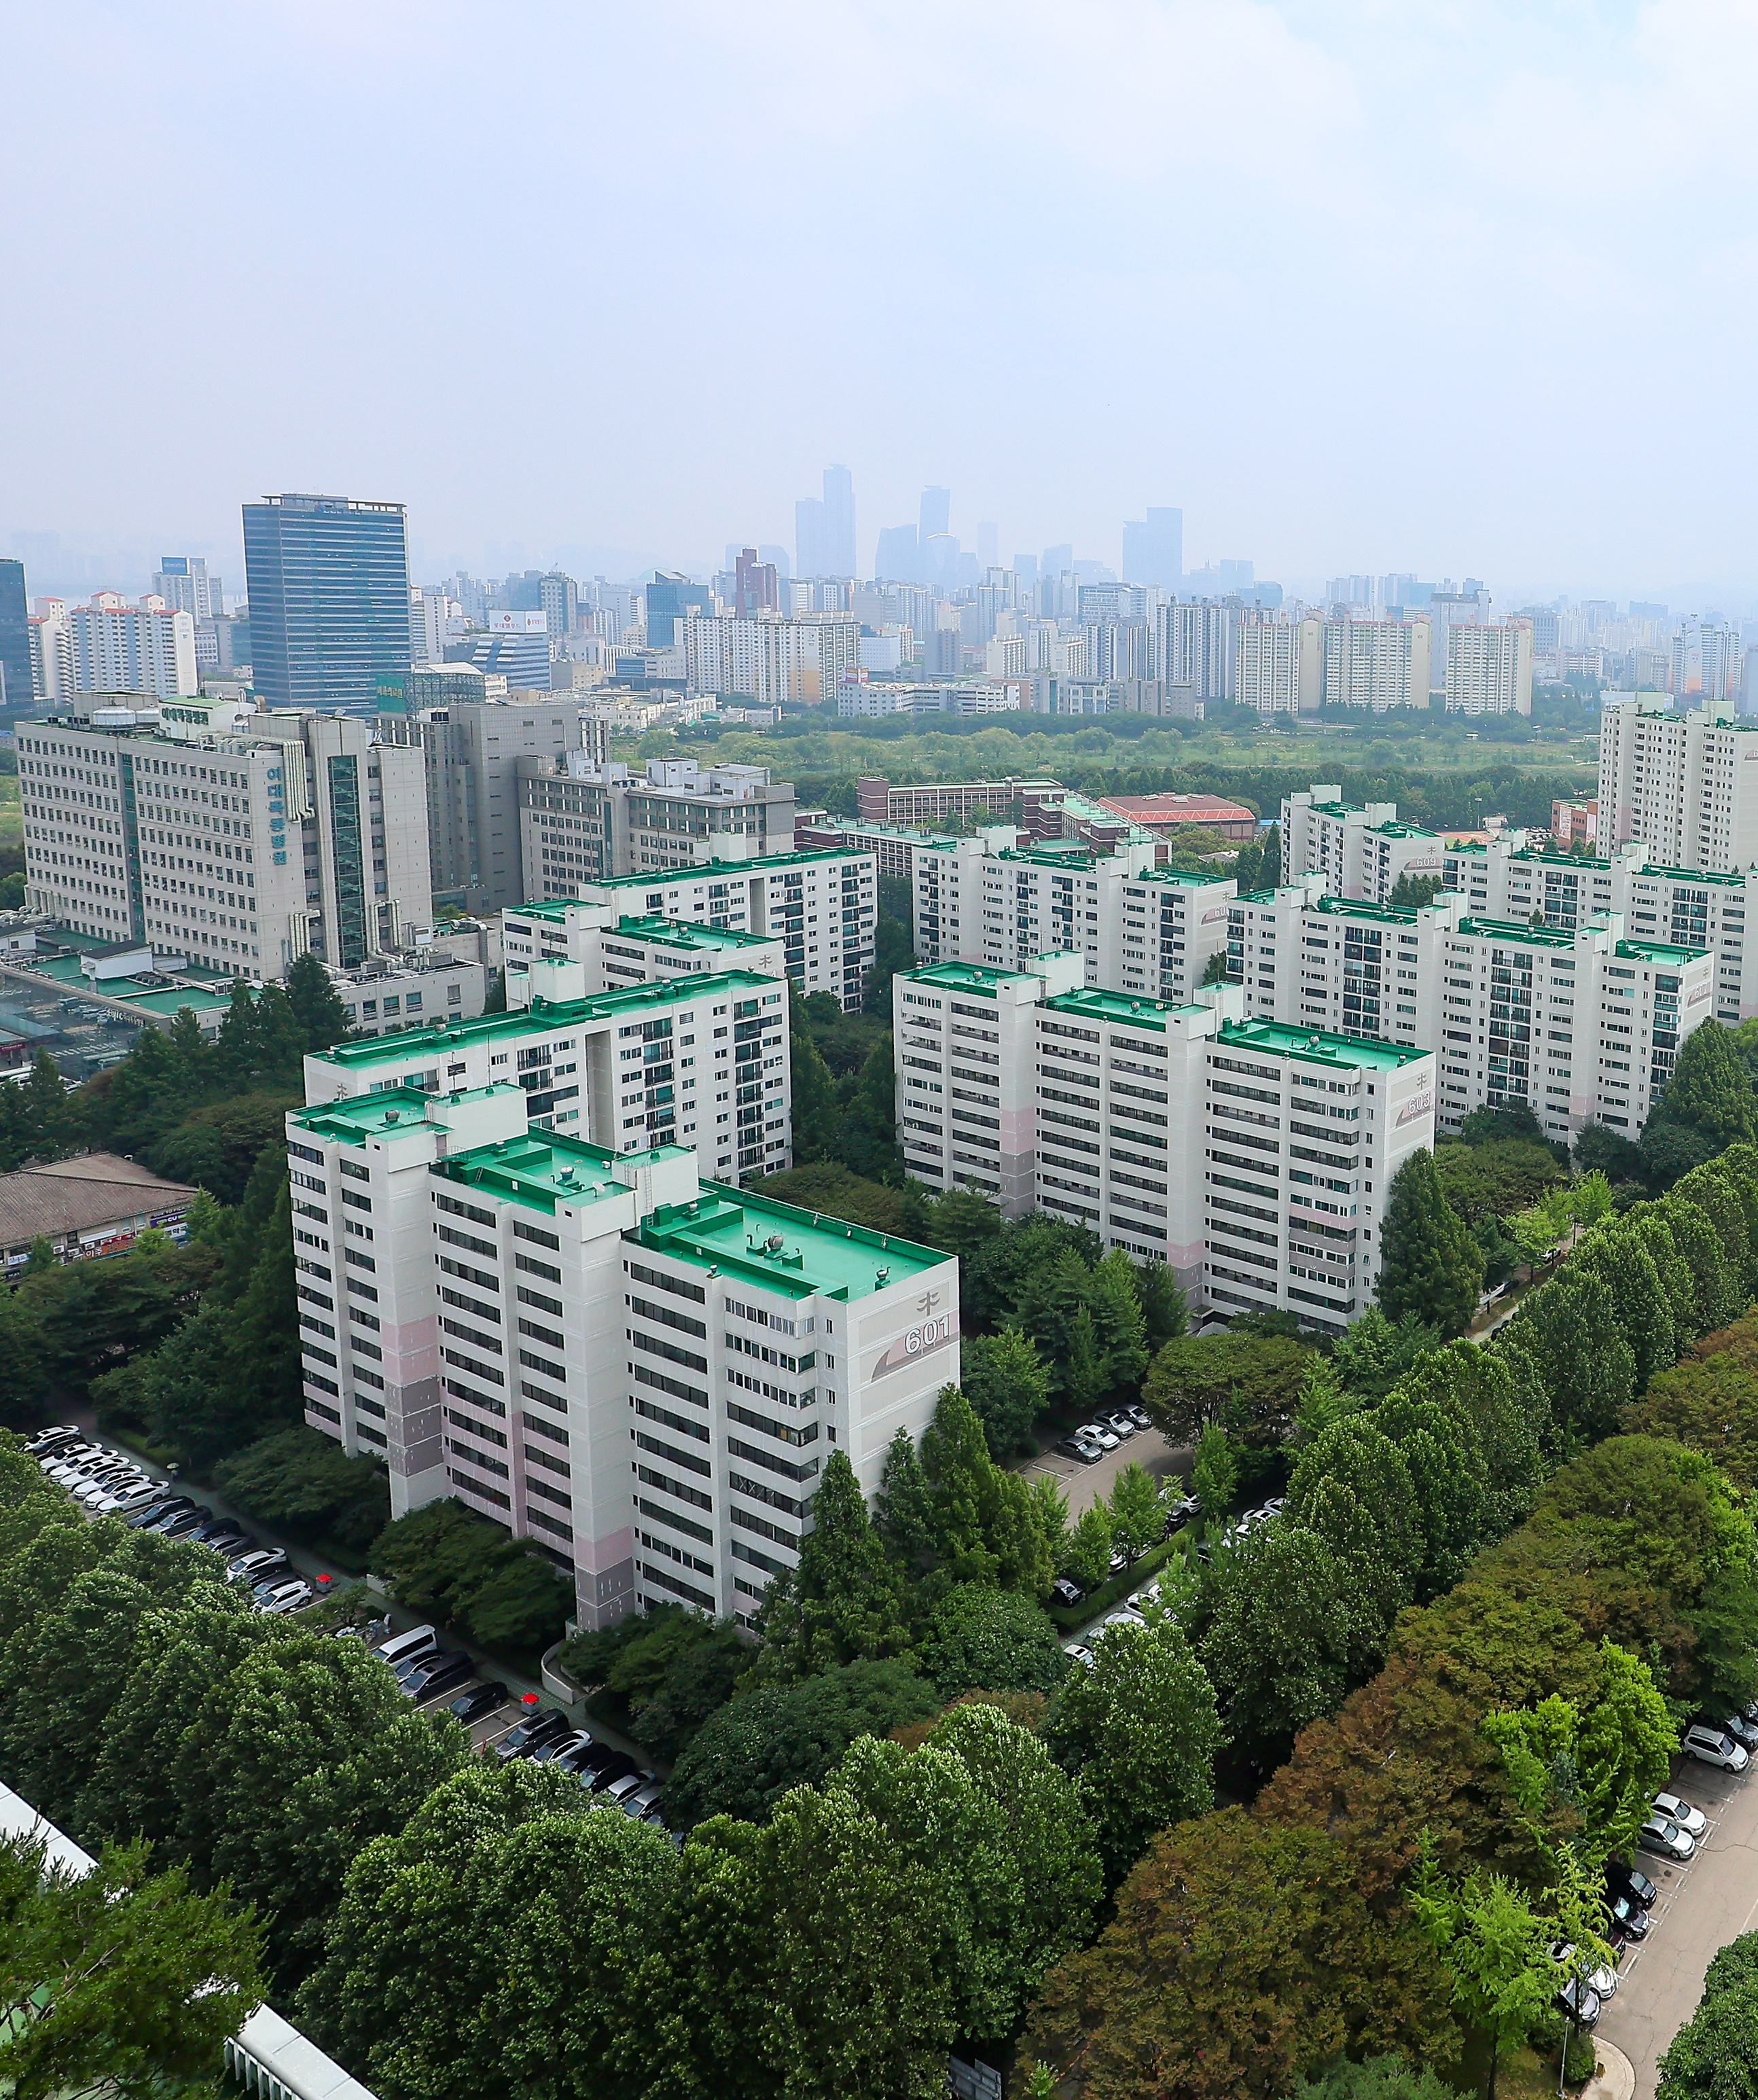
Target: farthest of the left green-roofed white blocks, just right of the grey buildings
{"x":820,"y":906}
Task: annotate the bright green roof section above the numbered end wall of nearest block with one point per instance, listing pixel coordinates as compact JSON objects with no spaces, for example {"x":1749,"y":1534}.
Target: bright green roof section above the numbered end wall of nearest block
{"x":780,"y":1248}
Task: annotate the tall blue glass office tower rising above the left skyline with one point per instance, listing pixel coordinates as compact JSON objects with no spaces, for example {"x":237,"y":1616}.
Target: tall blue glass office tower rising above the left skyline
{"x":329,"y":583}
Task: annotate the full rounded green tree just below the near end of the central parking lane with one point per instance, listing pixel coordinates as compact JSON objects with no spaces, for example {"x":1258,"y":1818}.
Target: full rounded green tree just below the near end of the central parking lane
{"x":1139,"y":1731}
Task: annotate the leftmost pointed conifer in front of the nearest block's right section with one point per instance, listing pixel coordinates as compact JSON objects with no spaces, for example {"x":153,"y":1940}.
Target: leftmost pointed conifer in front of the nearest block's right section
{"x":845,"y":1601}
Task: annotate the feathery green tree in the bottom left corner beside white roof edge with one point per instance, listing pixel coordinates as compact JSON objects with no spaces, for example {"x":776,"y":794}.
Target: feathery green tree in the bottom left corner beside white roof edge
{"x":117,"y":1981}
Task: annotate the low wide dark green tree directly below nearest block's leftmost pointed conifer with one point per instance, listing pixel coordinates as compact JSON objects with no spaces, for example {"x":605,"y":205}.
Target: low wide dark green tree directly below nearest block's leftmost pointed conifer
{"x":776,"y":1738}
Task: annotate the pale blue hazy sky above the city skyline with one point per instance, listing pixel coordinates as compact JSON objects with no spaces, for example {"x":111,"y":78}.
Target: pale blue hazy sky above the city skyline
{"x":1459,"y":289}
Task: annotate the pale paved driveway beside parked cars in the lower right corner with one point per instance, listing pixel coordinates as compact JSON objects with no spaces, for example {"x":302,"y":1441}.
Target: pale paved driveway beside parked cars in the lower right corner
{"x":1700,"y":1908}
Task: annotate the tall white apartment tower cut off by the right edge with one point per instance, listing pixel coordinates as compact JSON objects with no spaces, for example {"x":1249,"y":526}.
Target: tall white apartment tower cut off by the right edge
{"x":1686,"y":784}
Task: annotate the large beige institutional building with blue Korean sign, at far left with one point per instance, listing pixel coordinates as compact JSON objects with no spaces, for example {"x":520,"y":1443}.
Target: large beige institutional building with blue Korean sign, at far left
{"x":240,"y":841}
